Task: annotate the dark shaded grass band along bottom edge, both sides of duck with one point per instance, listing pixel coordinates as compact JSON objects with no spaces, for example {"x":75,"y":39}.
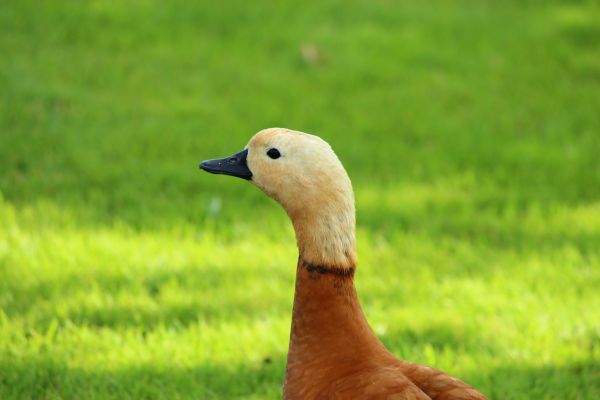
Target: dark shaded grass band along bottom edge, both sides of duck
{"x":46,"y":377}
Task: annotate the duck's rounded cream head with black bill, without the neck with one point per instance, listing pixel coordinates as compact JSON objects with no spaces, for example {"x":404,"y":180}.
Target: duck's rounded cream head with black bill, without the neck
{"x":298,"y":170}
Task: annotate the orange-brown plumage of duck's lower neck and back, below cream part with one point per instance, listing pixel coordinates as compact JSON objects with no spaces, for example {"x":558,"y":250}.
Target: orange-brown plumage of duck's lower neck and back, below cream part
{"x":334,"y":354}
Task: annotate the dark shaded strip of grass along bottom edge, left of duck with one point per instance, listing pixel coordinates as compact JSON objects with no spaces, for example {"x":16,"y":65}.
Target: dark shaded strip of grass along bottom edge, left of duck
{"x":46,"y":377}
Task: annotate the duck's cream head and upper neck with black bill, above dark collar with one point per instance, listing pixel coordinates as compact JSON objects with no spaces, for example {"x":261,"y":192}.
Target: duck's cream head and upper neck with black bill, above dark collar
{"x":304,"y":175}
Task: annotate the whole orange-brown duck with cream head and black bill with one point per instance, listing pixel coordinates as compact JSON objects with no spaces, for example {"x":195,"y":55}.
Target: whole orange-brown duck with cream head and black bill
{"x":333,"y":352}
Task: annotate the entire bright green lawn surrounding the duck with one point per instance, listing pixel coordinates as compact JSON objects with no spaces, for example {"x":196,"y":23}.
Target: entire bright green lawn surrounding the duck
{"x":471,"y":132}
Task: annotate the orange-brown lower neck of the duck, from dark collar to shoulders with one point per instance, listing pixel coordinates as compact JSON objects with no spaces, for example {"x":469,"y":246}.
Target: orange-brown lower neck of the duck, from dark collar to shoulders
{"x":329,"y":330}
